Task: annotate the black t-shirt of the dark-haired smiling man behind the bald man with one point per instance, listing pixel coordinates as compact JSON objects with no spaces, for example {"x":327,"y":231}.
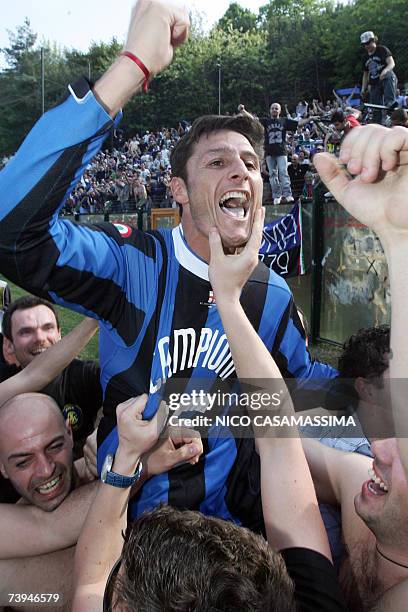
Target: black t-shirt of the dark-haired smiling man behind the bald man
{"x":78,"y":392}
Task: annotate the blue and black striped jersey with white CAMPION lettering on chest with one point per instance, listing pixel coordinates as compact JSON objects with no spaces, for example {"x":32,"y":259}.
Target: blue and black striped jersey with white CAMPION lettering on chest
{"x":152,"y":296}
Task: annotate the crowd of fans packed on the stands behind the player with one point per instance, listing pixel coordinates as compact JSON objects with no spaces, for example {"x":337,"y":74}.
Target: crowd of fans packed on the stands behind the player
{"x":136,"y":172}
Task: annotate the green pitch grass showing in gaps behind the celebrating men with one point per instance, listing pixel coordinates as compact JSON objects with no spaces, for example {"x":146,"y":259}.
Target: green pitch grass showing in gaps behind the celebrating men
{"x":327,"y":353}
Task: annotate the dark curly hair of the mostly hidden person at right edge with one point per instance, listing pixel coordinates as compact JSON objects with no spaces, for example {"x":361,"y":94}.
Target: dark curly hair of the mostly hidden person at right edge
{"x":364,"y":354}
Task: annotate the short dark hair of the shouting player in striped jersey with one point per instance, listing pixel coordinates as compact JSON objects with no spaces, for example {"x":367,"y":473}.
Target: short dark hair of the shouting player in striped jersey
{"x":249,"y":127}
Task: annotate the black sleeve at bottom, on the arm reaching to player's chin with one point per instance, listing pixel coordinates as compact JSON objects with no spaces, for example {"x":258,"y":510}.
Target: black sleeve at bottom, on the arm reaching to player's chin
{"x":317,"y":588}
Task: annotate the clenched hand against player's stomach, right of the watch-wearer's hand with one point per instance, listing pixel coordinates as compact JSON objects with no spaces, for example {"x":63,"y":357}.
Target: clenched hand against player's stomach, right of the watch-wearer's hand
{"x":177,"y":445}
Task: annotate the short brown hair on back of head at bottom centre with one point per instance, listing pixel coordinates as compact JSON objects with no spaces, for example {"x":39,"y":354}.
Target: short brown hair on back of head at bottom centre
{"x":179,"y":561}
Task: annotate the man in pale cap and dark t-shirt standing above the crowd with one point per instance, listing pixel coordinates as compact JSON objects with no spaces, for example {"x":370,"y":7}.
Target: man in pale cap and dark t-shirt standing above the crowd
{"x":378,"y":74}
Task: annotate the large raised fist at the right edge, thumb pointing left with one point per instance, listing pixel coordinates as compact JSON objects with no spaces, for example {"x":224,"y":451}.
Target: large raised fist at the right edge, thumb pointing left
{"x":377,"y":157}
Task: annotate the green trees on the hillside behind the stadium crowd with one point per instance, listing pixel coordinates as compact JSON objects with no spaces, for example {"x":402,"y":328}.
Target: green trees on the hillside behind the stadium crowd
{"x":290,"y":50}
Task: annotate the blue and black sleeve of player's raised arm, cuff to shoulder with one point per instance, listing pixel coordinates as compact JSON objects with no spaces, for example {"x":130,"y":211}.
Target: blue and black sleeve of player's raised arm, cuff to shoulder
{"x":83,"y":267}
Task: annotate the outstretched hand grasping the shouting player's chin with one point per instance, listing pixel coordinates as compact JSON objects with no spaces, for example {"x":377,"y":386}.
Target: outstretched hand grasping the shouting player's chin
{"x":229,"y":273}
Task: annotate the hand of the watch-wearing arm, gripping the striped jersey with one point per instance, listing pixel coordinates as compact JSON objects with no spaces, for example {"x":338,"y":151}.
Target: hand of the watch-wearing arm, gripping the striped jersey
{"x":137,"y":436}
